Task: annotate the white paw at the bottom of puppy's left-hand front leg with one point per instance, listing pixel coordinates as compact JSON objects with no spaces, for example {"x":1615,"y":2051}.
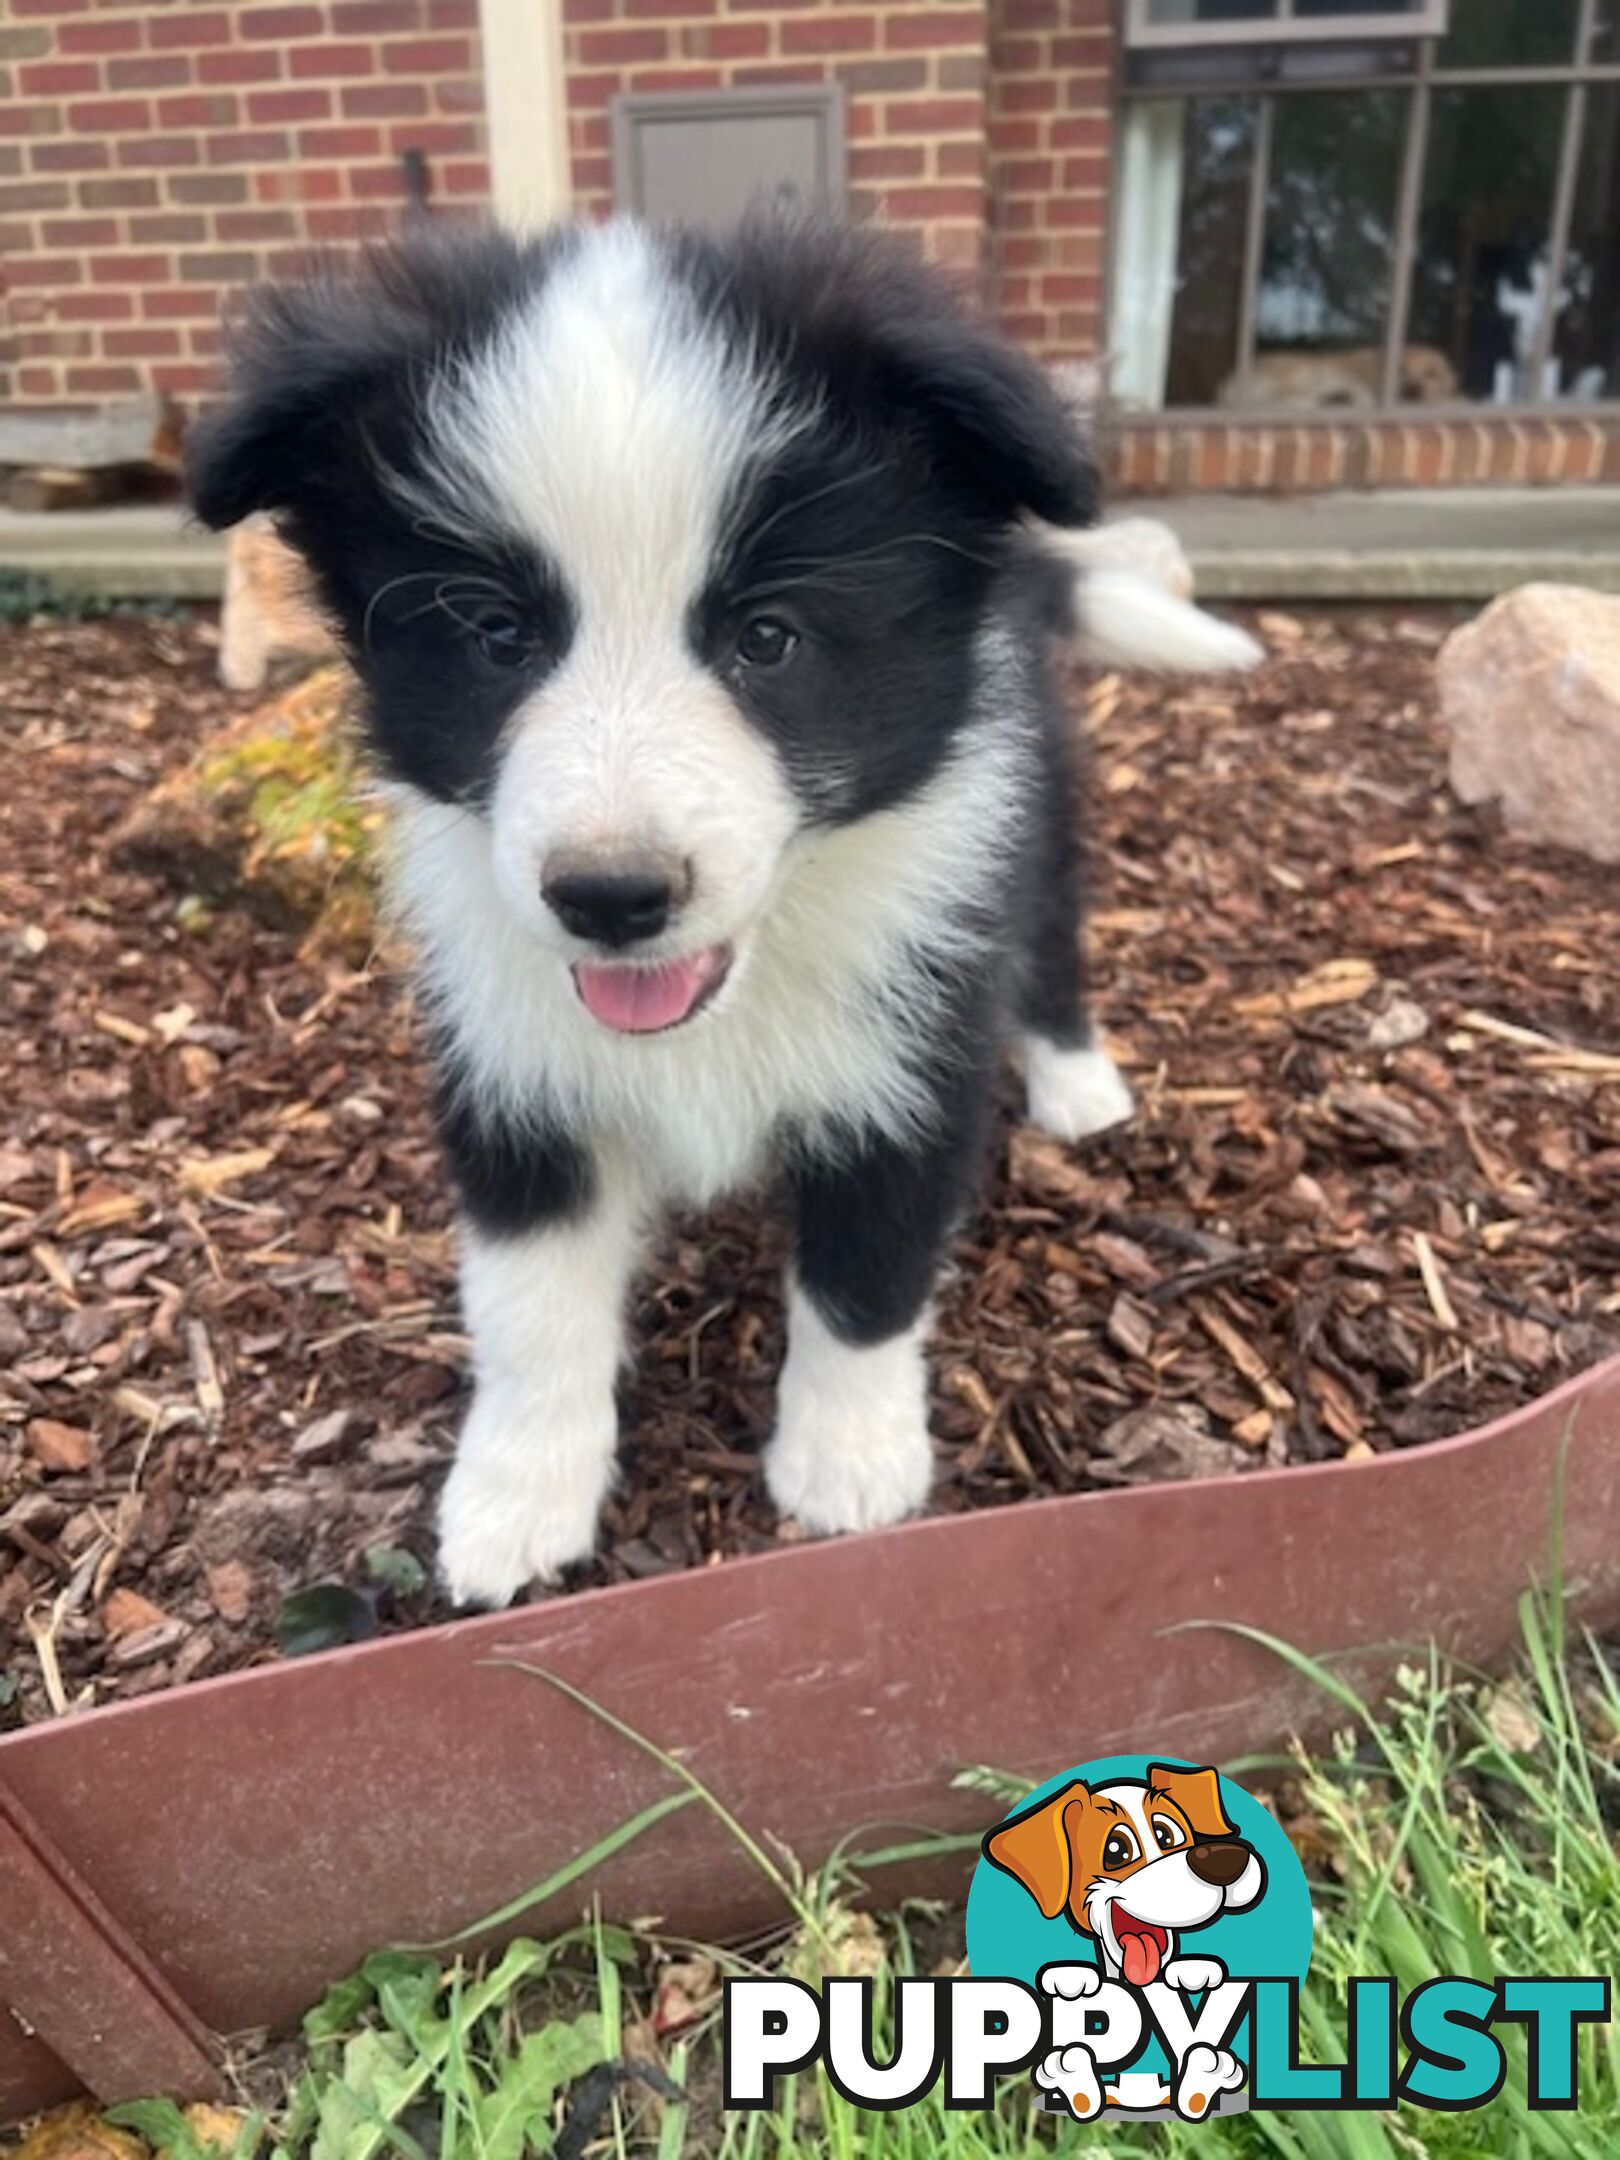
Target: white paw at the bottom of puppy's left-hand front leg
{"x":519,"y":1507}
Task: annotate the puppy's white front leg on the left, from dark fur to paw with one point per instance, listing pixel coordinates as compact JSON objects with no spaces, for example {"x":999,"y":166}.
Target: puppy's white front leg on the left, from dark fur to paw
{"x":537,"y":1453}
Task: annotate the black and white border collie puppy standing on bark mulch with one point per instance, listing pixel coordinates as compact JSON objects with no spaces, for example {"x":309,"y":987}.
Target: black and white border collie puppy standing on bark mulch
{"x":707,"y":658}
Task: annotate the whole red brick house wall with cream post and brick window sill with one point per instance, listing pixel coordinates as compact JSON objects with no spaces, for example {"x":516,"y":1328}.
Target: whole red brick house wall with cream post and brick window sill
{"x":157,"y":157}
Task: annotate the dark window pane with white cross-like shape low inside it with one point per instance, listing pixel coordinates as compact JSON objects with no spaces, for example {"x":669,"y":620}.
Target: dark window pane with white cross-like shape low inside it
{"x":1483,"y":241}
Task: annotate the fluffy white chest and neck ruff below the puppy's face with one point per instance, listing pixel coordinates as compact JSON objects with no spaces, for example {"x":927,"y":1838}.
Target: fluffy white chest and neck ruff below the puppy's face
{"x":822,"y":1021}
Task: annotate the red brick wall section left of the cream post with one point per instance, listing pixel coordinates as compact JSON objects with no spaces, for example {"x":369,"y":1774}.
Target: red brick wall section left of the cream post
{"x":161,"y":154}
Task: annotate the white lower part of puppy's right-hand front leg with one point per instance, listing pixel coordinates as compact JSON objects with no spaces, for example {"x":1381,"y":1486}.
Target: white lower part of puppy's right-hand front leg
{"x":852,"y":1427}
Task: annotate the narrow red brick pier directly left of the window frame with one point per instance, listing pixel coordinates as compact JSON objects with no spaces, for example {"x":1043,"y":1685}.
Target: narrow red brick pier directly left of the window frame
{"x":1051,"y":139}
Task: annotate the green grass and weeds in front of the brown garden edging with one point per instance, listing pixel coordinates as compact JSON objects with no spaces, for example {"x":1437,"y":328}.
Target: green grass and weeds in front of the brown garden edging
{"x":1468,"y":1828}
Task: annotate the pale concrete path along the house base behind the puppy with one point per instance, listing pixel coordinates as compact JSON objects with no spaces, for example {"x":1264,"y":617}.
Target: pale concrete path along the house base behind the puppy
{"x":1437,"y":545}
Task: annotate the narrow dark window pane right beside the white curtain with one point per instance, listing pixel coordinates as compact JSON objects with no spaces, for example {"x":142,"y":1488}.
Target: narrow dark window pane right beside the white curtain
{"x":1217,"y":161}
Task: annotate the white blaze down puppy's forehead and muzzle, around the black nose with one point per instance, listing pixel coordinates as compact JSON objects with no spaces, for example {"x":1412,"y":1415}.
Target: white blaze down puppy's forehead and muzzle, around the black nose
{"x":612,"y":429}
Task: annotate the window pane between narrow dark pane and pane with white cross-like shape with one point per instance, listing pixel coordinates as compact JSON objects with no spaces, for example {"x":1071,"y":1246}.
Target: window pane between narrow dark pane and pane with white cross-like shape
{"x":1325,"y":265}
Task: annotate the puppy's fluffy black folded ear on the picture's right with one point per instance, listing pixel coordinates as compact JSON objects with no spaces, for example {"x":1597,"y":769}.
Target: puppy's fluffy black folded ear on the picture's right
{"x":995,"y":418}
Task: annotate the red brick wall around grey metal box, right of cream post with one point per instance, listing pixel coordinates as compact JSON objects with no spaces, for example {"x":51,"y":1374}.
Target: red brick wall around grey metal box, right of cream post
{"x":913,"y":70}
